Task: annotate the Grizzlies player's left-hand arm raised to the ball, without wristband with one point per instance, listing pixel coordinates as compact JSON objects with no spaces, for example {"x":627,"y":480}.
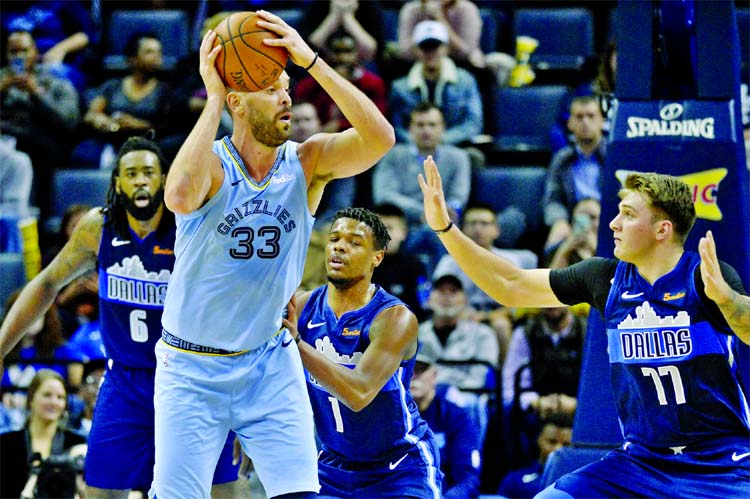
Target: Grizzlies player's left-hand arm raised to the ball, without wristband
{"x":196,"y":172}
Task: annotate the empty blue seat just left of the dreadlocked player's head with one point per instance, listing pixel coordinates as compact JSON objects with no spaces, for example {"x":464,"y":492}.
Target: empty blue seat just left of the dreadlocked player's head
{"x":79,"y":186}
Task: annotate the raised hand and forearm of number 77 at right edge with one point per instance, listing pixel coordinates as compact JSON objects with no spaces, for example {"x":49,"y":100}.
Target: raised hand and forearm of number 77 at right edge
{"x":734,"y":307}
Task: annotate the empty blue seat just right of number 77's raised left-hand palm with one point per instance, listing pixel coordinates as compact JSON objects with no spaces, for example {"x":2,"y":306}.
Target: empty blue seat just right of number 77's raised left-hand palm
{"x":504,"y":186}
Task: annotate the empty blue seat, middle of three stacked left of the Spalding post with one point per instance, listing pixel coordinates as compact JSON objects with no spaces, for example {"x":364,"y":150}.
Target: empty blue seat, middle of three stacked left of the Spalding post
{"x":523,"y":117}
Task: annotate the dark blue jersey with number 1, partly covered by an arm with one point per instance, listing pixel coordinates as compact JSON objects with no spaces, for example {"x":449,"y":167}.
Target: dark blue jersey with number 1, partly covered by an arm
{"x":391,"y":424}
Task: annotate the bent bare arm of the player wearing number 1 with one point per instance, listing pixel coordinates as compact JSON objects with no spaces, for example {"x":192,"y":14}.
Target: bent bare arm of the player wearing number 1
{"x":393,"y":338}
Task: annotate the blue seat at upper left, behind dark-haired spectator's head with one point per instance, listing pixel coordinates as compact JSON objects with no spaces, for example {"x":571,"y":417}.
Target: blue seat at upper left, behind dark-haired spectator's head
{"x":171,"y":26}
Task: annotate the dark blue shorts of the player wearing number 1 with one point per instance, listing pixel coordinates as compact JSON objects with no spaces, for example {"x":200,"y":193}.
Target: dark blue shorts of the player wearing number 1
{"x":413,"y":474}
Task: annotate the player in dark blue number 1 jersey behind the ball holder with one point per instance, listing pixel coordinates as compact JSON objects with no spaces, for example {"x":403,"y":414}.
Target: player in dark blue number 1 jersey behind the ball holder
{"x":358,"y":344}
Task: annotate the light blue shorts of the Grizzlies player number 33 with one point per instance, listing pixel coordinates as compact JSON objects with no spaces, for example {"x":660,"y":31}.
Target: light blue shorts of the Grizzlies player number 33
{"x":260,"y":394}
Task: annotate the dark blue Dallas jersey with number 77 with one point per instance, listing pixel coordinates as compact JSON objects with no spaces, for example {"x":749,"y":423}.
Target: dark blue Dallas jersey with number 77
{"x":673,"y":372}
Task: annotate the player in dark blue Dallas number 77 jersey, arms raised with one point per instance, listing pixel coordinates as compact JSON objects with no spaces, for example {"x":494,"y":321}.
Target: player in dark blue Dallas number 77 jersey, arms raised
{"x":673,"y":318}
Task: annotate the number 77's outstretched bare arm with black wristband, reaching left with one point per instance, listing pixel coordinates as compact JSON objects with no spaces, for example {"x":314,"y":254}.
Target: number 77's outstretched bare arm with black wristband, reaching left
{"x":496,"y":276}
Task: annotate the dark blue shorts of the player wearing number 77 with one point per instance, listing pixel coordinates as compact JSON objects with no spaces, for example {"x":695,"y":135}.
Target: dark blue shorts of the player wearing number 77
{"x":640,"y":472}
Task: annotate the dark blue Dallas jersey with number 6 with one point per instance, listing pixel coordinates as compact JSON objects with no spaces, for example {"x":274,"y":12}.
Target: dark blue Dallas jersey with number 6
{"x":133,"y":276}
